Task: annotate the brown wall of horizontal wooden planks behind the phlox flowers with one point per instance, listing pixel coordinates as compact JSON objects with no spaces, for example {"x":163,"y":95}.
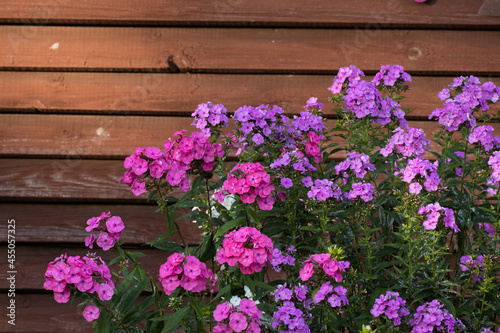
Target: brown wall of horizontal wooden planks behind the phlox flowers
{"x":83,"y":83}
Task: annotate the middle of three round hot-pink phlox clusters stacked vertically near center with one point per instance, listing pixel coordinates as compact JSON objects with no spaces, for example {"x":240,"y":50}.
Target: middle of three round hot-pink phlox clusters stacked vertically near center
{"x":248,"y":248}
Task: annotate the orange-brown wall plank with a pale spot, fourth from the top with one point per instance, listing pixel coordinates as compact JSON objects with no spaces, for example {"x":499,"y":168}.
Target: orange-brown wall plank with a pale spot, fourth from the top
{"x":75,"y":136}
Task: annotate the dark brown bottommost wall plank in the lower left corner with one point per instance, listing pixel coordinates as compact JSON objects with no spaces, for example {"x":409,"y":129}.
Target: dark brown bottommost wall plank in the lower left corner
{"x":41,"y":313}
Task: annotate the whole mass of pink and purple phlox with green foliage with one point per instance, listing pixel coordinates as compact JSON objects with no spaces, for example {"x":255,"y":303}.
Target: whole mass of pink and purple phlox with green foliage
{"x":357,"y":228}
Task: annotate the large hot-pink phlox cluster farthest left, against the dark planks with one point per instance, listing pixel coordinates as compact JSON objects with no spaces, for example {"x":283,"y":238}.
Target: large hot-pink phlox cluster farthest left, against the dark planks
{"x":89,"y":274}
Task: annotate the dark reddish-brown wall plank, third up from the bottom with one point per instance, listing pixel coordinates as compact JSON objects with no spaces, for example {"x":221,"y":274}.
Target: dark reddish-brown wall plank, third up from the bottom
{"x":53,"y":223}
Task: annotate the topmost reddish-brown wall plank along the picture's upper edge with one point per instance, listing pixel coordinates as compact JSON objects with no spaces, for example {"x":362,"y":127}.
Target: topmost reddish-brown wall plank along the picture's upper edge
{"x":448,"y":13}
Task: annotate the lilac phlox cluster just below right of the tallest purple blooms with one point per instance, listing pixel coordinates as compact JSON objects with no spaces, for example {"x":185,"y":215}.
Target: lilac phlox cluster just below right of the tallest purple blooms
{"x":408,"y":141}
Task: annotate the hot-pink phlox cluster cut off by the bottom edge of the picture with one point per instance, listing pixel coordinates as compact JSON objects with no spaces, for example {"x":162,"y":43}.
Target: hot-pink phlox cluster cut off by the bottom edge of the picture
{"x":230,"y":319}
